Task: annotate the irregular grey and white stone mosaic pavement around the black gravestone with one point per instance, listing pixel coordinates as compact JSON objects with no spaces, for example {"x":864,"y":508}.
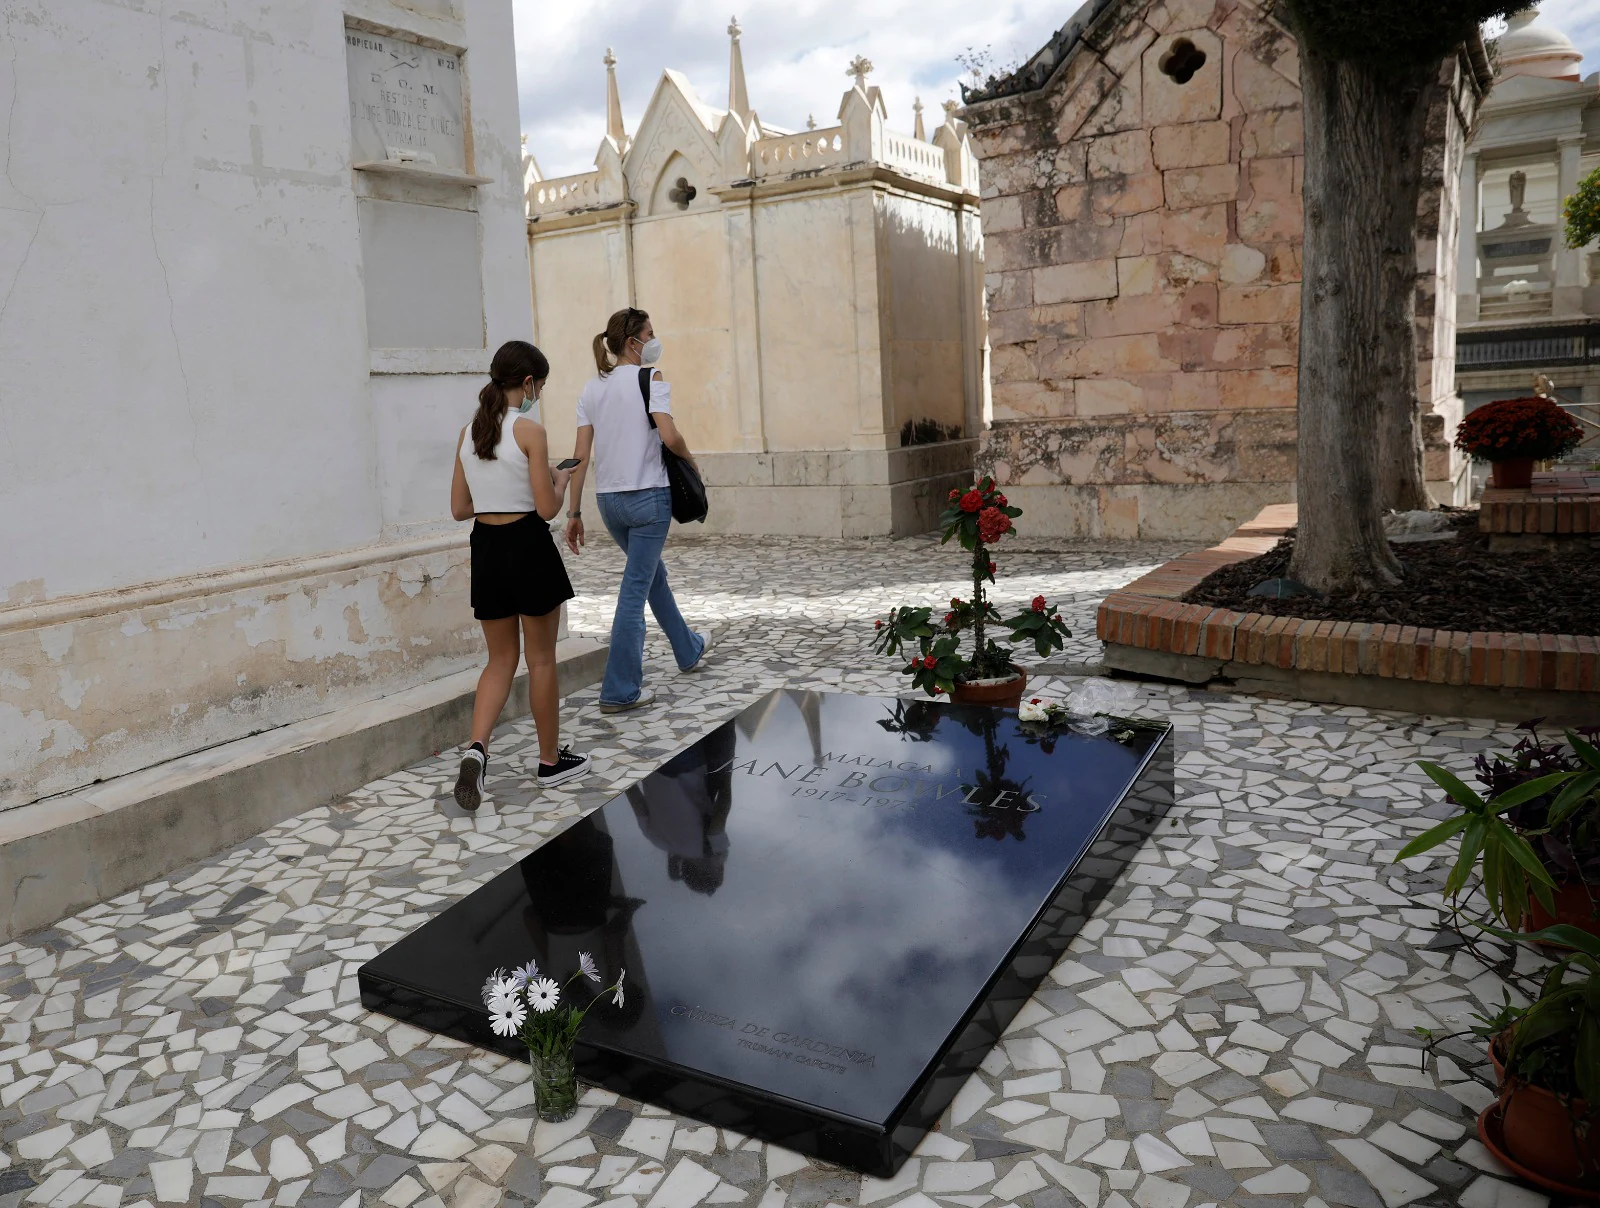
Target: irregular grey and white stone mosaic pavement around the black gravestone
{"x":1234,"y":1026}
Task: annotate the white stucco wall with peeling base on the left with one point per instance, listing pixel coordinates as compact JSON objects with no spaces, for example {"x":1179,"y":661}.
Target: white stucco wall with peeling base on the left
{"x":186,"y":383}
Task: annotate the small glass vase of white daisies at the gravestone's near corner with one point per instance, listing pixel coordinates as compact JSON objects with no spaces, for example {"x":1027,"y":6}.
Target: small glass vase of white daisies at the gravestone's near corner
{"x":530,"y":1007}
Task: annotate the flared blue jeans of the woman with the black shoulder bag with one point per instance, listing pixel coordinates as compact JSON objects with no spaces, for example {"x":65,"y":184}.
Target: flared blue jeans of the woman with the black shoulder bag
{"x":639,"y":522}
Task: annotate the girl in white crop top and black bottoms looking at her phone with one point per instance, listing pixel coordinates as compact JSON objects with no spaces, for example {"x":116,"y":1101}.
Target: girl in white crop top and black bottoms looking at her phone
{"x":506,"y":487}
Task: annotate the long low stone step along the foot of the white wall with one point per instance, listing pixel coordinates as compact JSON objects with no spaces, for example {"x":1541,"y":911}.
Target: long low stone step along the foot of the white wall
{"x":70,"y":852}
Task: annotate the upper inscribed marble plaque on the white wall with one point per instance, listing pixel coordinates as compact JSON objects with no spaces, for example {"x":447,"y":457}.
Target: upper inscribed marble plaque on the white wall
{"x":406,"y":102}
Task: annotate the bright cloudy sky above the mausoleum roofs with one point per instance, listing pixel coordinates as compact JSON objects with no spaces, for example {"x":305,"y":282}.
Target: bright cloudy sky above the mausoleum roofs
{"x":794,"y":57}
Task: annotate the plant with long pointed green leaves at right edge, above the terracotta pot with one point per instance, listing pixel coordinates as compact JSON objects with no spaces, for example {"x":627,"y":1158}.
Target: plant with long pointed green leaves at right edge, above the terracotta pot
{"x":1534,"y":836}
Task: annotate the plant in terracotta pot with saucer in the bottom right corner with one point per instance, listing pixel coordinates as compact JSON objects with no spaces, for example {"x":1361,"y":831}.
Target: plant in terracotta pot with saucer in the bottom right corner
{"x":1545,"y":1121}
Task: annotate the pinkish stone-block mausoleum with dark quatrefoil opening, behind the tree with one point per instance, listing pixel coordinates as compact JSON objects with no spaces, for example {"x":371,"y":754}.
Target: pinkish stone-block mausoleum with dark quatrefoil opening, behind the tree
{"x":1143,"y":238}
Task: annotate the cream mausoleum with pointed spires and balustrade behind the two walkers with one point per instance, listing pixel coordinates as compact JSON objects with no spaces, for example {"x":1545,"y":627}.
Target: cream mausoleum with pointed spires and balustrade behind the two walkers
{"x":818,"y":292}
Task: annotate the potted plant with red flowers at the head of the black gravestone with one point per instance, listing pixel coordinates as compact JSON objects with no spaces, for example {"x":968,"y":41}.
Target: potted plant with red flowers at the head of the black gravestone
{"x":977,"y":519}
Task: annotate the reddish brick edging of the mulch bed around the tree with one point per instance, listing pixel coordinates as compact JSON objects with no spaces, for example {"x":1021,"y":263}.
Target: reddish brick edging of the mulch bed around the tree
{"x":1148,"y":615}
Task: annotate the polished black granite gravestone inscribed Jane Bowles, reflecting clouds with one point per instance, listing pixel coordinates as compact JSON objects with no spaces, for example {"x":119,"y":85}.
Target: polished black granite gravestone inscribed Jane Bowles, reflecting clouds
{"x":830,"y":910}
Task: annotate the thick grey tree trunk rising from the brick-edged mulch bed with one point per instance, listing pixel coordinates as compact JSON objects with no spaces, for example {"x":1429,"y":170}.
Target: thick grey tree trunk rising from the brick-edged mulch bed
{"x":1358,"y":362}
